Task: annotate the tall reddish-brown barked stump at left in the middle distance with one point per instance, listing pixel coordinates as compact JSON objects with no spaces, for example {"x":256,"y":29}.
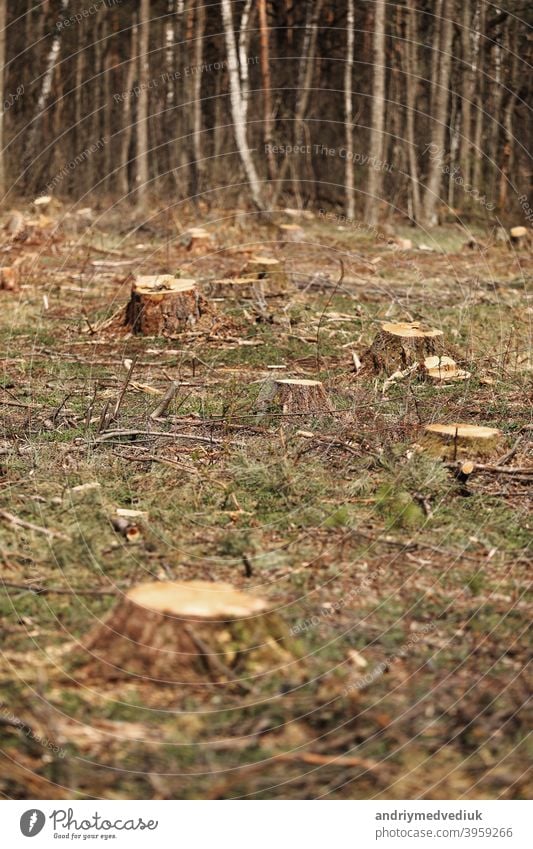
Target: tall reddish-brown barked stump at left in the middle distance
{"x":162,"y":305}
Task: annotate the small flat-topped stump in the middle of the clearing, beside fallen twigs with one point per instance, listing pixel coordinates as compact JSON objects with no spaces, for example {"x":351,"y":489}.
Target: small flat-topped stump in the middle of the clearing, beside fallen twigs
{"x":293,"y":396}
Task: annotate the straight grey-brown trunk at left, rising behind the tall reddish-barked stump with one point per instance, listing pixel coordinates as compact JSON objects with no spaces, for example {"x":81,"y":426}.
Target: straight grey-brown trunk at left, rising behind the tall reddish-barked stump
{"x":142,"y":175}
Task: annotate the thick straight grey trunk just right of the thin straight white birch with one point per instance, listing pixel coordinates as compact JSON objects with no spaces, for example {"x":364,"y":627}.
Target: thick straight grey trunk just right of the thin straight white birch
{"x":378,"y":109}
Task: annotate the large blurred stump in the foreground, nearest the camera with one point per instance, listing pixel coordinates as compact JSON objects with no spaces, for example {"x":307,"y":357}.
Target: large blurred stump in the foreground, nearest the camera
{"x":187,"y":633}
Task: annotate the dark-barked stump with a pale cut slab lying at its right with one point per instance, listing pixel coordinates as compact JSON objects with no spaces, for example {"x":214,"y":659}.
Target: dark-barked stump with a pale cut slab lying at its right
{"x":400,"y":345}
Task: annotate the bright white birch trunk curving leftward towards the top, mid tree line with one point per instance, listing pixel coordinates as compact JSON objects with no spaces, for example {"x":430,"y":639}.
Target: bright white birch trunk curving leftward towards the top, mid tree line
{"x":237,"y":107}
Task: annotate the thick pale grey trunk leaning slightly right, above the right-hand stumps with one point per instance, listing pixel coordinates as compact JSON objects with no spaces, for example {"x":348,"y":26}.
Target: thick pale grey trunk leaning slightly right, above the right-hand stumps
{"x":439,"y":119}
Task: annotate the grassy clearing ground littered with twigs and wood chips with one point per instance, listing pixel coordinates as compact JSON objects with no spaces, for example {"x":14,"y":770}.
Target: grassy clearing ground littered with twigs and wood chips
{"x":411,"y":625}
